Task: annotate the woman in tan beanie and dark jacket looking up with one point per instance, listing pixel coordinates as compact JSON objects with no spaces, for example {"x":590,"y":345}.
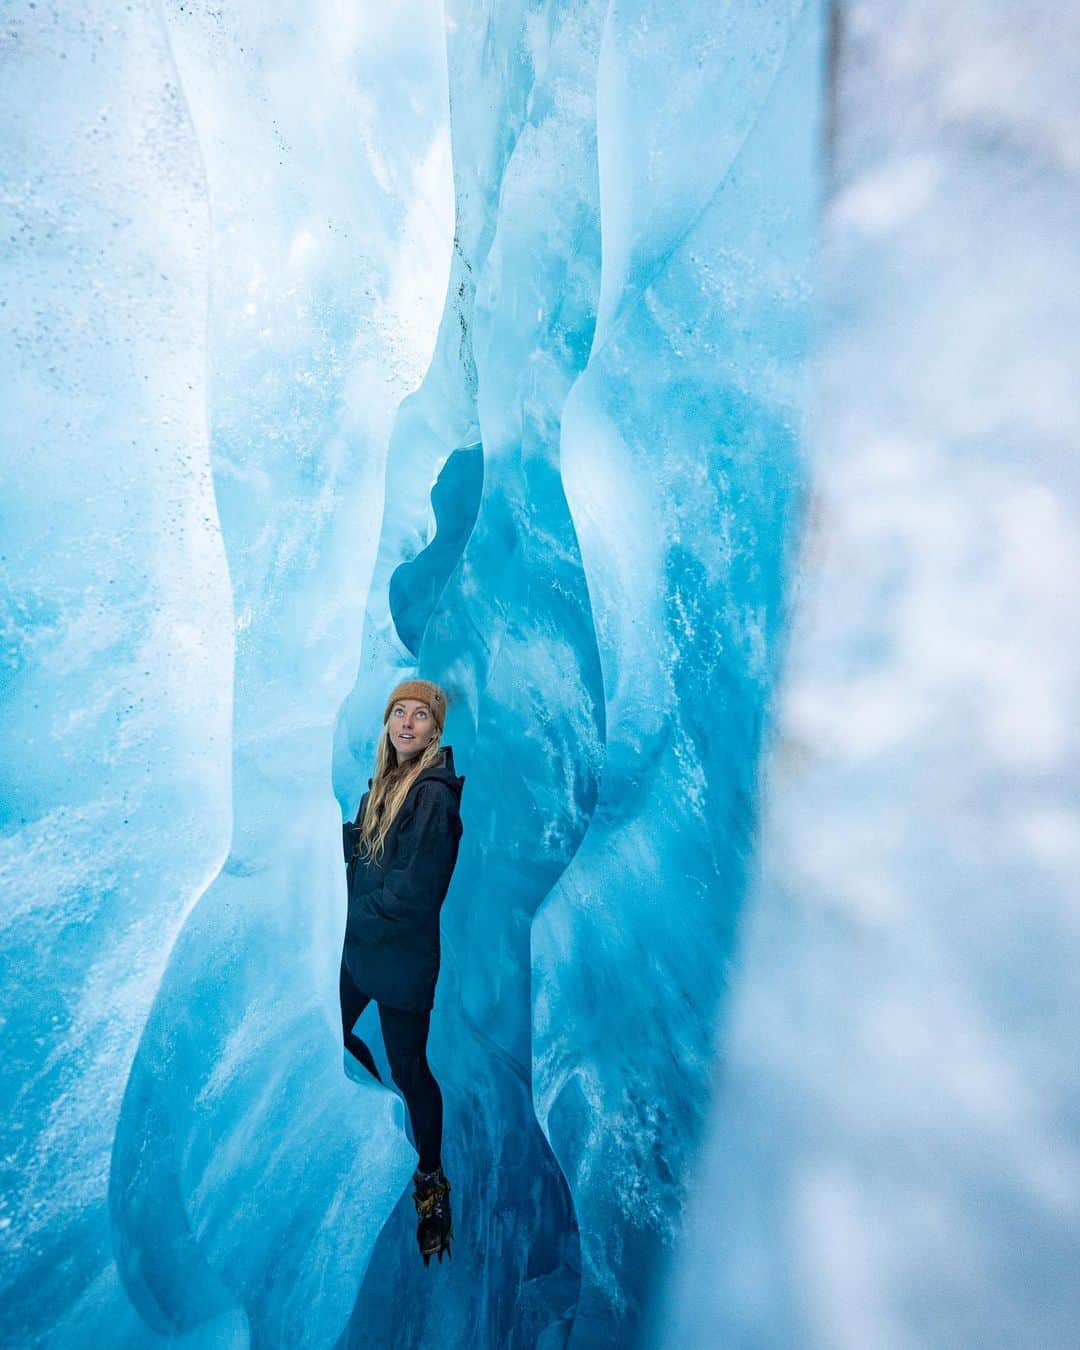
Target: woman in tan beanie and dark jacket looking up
{"x":400,"y":855}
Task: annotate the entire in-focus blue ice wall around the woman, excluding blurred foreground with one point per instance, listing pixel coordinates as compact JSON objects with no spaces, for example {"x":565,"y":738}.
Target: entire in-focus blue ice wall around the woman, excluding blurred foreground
{"x":527,"y":426}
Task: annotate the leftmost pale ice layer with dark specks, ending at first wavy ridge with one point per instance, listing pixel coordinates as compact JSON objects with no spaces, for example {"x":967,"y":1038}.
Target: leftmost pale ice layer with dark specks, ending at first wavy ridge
{"x":117,"y":700}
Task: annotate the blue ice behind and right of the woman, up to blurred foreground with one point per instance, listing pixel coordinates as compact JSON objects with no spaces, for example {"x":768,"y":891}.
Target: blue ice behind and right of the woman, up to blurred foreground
{"x":677,"y":468}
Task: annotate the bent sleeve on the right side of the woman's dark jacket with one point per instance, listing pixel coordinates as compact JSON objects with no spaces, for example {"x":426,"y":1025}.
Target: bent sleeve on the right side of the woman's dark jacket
{"x":414,"y":889}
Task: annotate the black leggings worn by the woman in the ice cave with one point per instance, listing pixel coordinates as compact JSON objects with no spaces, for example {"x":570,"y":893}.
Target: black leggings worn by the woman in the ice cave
{"x":406,"y":1037}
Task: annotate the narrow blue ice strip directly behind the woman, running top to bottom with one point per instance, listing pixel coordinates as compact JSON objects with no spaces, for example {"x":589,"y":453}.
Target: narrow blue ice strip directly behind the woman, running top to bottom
{"x":491,"y":600}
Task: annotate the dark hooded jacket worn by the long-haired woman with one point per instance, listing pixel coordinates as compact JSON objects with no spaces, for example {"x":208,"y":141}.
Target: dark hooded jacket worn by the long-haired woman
{"x":392,"y":934}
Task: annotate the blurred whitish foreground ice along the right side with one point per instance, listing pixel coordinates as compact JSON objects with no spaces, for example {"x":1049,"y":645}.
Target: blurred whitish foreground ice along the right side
{"x":896,"y":1155}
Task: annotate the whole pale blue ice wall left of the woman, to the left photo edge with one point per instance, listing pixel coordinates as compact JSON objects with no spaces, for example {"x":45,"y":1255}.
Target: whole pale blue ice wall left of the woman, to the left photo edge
{"x":302,"y":159}
